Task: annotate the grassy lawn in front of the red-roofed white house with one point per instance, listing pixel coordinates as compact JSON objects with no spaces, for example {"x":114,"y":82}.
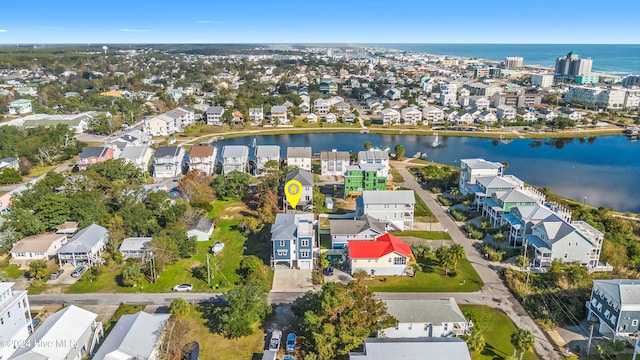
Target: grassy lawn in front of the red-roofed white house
{"x":432,"y":280}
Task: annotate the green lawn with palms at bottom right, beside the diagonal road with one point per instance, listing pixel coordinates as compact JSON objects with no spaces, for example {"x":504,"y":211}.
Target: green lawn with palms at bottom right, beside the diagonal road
{"x":496,"y":328}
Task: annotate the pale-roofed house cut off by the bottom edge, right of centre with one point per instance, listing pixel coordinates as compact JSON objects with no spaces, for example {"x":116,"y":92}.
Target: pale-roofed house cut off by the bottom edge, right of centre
{"x":413,"y":349}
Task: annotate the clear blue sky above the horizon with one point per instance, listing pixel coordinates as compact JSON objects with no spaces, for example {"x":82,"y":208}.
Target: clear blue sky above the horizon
{"x":323,"y":21}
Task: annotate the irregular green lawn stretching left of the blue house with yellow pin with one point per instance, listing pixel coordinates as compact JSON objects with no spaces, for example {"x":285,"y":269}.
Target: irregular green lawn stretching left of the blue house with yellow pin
{"x":223,"y":266}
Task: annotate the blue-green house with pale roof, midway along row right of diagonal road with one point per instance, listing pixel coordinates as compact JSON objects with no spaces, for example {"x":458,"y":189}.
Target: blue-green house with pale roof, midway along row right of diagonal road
{"x":500,"y":202}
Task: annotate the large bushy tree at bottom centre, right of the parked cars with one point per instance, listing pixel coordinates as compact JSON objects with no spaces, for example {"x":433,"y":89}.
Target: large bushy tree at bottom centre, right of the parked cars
{"x":335,"y":320}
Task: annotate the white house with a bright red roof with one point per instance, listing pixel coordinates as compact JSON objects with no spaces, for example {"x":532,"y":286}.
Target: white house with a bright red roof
{"x":384,"y":256}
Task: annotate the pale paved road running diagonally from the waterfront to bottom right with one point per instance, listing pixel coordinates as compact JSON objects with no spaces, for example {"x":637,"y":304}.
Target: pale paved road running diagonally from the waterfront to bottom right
{"x":496,"y":292}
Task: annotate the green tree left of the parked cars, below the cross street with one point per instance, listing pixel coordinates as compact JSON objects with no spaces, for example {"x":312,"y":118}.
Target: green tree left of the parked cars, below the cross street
{"x":246,"y":304}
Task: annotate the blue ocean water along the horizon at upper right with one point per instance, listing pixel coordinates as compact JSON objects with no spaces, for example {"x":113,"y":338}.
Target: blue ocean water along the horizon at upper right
{"x":610,"y":59}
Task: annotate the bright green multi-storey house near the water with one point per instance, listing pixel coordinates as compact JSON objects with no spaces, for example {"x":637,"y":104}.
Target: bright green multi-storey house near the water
{"x":358,"y":178}
